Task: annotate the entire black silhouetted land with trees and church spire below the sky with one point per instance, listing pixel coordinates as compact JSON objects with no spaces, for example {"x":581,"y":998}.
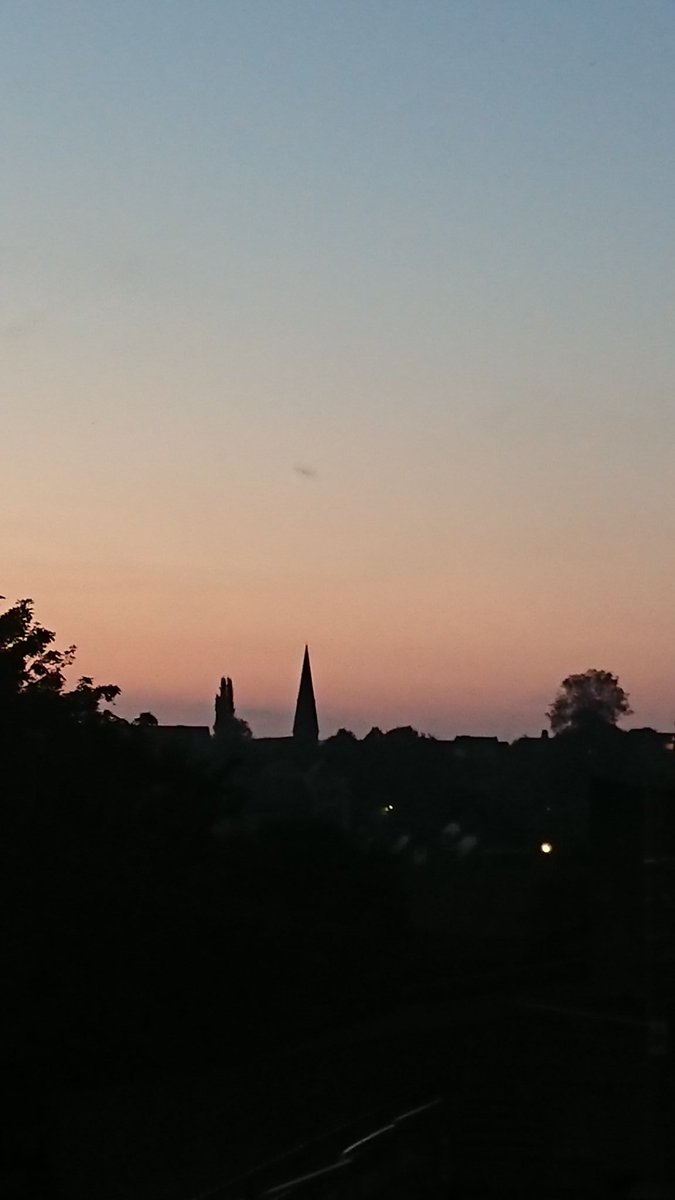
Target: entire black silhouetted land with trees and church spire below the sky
{"x":213,"y":910}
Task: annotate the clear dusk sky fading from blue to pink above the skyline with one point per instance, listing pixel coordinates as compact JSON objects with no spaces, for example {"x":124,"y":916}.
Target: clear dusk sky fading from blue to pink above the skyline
{"x":343,"y":322}
